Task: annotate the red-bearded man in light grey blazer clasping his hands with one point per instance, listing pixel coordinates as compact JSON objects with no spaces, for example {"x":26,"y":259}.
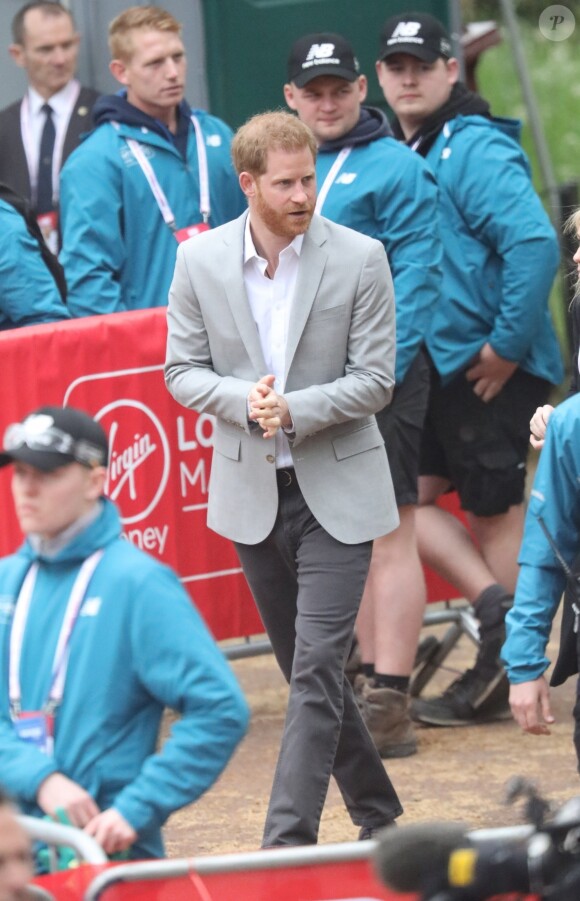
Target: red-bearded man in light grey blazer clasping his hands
{"x":281,"y":325}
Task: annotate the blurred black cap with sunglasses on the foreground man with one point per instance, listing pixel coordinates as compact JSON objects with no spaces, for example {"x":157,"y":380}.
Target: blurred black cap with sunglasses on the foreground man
{"x":54,"y":436}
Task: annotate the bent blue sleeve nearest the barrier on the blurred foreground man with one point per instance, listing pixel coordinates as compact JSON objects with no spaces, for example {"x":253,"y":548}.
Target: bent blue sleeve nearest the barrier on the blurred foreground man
{"x":181,"y":666}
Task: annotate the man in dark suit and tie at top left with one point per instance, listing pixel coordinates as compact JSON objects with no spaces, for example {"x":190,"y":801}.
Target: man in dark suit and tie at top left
{"x":55,"y":109}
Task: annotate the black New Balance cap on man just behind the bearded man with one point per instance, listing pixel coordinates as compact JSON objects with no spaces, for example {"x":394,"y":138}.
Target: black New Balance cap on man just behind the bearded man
{"x":321,"y":53}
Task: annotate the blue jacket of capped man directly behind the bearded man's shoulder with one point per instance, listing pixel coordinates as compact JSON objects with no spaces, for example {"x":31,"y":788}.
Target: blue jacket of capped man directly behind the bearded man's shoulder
{"x":386,"y":191}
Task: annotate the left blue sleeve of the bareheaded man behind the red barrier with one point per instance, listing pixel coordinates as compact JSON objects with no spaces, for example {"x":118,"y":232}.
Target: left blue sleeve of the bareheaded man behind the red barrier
{"x":93,"y":248}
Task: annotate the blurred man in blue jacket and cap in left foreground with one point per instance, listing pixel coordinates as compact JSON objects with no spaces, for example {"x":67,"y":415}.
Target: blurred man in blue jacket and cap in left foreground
{"x":97,"y":638}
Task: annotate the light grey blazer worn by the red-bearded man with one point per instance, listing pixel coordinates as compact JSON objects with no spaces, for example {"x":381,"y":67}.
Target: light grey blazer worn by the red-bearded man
{"x":340,"y":365}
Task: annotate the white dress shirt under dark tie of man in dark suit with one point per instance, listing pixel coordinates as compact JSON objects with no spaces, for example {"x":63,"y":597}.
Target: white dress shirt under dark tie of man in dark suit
{"x":32,"y":119}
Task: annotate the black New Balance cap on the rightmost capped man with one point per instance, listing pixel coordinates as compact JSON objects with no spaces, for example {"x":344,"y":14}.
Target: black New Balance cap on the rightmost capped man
{"x":418,"y":34}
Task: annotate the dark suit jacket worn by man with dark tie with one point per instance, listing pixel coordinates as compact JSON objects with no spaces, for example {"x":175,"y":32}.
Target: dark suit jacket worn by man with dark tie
{"x":13,"y":164}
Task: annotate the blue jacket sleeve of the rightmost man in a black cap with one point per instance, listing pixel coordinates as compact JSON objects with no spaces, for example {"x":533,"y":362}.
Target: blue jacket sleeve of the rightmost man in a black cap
{"x":494,"y":192}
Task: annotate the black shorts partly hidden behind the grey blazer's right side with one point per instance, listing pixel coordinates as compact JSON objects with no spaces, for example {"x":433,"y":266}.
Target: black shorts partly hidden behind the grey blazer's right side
{"x":401,"y":424}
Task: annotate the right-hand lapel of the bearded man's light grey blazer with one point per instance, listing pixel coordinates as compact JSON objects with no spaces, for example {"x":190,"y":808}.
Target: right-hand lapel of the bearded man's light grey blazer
{"x":313,"y":259}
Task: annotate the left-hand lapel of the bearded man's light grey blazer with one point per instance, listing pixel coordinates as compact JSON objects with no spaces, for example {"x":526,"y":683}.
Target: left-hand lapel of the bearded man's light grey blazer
{"x":233,"y":282}
